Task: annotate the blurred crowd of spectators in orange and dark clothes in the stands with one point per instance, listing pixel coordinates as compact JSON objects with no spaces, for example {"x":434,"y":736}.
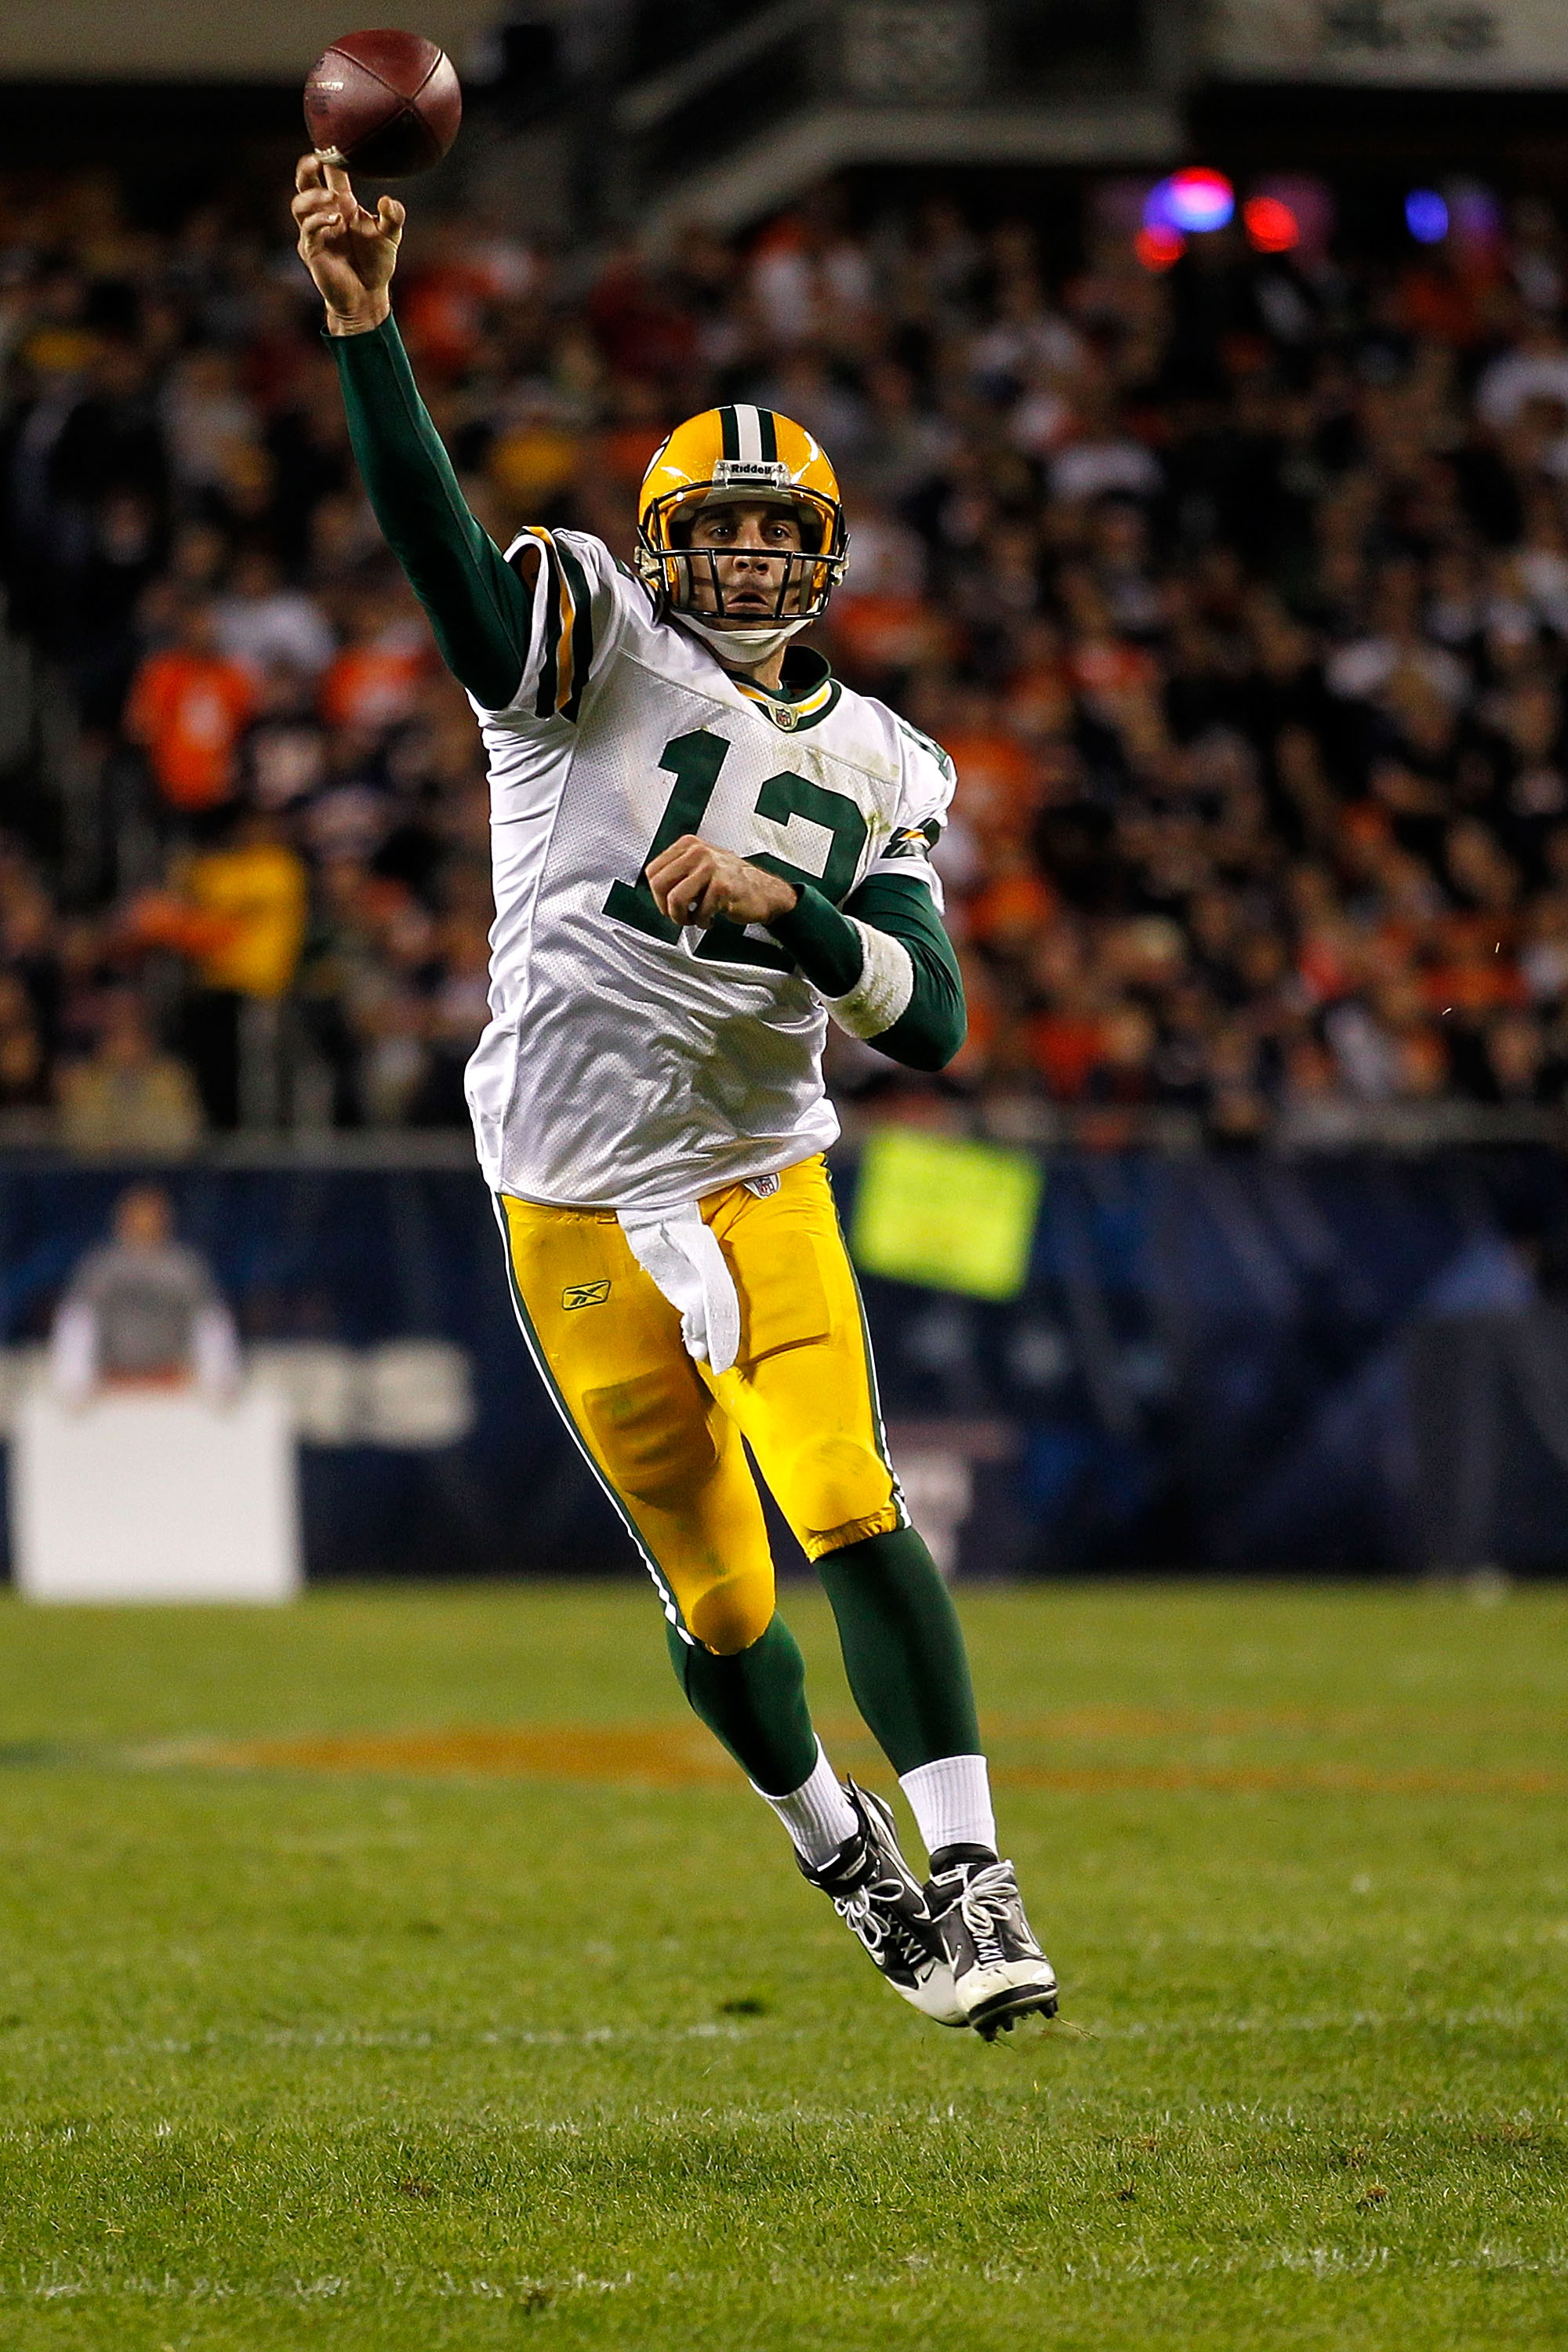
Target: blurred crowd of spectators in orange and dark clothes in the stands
{"x":1238,"y":589}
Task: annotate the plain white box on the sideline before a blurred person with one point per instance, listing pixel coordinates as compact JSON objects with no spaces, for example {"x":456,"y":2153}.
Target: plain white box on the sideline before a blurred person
{"x":156,"y":1497}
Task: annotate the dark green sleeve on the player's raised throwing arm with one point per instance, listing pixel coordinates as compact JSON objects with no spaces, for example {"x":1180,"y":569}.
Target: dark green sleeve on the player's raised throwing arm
{"x":476,"y":603}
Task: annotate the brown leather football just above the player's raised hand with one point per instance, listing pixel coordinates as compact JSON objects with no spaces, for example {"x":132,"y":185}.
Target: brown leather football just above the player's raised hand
{"x":389,"y":105}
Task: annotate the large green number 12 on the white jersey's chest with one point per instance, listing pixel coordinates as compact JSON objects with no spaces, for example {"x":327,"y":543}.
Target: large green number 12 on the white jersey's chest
{"x":695,"y":761}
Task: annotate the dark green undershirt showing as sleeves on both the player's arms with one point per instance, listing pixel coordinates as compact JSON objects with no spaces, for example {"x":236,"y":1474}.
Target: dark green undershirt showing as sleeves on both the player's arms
{"x":481,"y":615}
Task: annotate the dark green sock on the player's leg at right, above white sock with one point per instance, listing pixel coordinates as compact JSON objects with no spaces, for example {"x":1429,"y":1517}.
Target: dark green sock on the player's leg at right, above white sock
{"x":904,"y":1650}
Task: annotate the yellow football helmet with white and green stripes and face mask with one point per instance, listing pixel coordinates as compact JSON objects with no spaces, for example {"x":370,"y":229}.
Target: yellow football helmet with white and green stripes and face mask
{"x":730,"y":455}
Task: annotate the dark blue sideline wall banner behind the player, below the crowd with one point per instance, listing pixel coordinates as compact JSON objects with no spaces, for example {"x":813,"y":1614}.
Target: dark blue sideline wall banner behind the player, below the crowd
{"x":1214,"y":1363}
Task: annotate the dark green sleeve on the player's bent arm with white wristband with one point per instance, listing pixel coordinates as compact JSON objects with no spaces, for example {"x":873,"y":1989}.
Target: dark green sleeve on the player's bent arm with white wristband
{"x":927,"y":1031}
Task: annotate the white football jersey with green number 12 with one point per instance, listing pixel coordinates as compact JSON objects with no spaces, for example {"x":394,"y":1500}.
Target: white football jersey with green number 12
{"x":631,"y":1064}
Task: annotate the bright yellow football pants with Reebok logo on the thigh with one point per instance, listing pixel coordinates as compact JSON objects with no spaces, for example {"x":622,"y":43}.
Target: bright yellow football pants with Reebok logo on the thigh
{"x":666,"y":1436}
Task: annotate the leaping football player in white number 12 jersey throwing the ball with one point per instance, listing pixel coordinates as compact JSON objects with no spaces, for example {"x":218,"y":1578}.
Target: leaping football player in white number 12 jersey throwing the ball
{"x":704,"y":850}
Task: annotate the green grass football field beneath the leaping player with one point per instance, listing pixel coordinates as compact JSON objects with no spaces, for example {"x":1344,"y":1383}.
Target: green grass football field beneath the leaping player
{"x":406,"y":1972}
